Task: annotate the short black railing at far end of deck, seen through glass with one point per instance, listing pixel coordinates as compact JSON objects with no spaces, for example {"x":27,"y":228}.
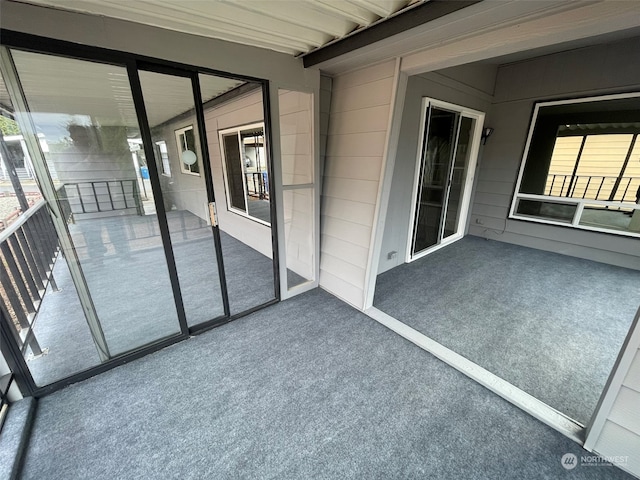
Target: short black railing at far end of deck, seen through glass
{"x":103,"y":196}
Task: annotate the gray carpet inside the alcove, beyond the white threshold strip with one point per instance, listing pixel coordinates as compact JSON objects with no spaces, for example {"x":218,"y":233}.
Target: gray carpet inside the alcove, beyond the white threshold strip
{"x":550,"y":324}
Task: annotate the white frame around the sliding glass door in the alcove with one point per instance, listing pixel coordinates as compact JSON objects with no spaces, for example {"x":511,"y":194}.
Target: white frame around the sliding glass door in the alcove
{"x":468,"y":182}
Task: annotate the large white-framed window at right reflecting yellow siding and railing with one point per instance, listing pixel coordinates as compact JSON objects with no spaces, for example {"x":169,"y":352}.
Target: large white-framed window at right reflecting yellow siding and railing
{"x":581,"y":166}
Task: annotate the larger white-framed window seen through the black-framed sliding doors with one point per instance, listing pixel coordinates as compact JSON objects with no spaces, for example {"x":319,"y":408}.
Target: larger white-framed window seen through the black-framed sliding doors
{"x":245,"y":169}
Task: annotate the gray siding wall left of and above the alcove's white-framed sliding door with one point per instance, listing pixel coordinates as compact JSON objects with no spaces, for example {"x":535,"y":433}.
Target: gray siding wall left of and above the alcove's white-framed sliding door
{"x":468,"y":86}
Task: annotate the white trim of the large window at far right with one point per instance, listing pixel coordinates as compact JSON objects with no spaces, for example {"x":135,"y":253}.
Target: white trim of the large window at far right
{"x":579,"y":202}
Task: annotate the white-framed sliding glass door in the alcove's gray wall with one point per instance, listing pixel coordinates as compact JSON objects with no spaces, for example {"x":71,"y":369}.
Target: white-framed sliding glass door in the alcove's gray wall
{"x":444,"y":175}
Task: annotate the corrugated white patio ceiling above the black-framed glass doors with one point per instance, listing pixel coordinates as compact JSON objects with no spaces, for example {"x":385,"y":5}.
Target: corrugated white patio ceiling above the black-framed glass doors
{"x":288,"y":26}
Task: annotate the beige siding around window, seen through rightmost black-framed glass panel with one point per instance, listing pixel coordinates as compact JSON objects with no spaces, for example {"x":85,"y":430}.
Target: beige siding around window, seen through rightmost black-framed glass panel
{"x":244,"y":110}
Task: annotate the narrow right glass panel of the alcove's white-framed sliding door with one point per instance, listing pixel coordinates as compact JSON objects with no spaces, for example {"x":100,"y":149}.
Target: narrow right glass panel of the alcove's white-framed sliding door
{"x":458,"y":177}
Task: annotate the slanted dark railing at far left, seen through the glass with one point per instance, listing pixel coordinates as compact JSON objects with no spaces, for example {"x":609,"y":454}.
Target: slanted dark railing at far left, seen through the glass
{"x":28,"y":251}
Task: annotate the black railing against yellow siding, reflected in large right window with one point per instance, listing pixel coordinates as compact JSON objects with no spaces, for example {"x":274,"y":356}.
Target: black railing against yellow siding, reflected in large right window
{"x":592,"y":187}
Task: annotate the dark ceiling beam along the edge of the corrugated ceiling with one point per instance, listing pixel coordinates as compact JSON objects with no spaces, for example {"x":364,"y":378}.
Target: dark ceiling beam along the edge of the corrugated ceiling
{"x":405,"y":20}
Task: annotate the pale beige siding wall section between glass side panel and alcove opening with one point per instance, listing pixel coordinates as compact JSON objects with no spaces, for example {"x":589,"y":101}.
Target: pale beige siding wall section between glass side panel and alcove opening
{"x":357,"y":138}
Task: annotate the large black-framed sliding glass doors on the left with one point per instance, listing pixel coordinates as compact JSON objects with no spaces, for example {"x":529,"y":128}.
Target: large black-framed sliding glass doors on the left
{"x":127,"y":157}
